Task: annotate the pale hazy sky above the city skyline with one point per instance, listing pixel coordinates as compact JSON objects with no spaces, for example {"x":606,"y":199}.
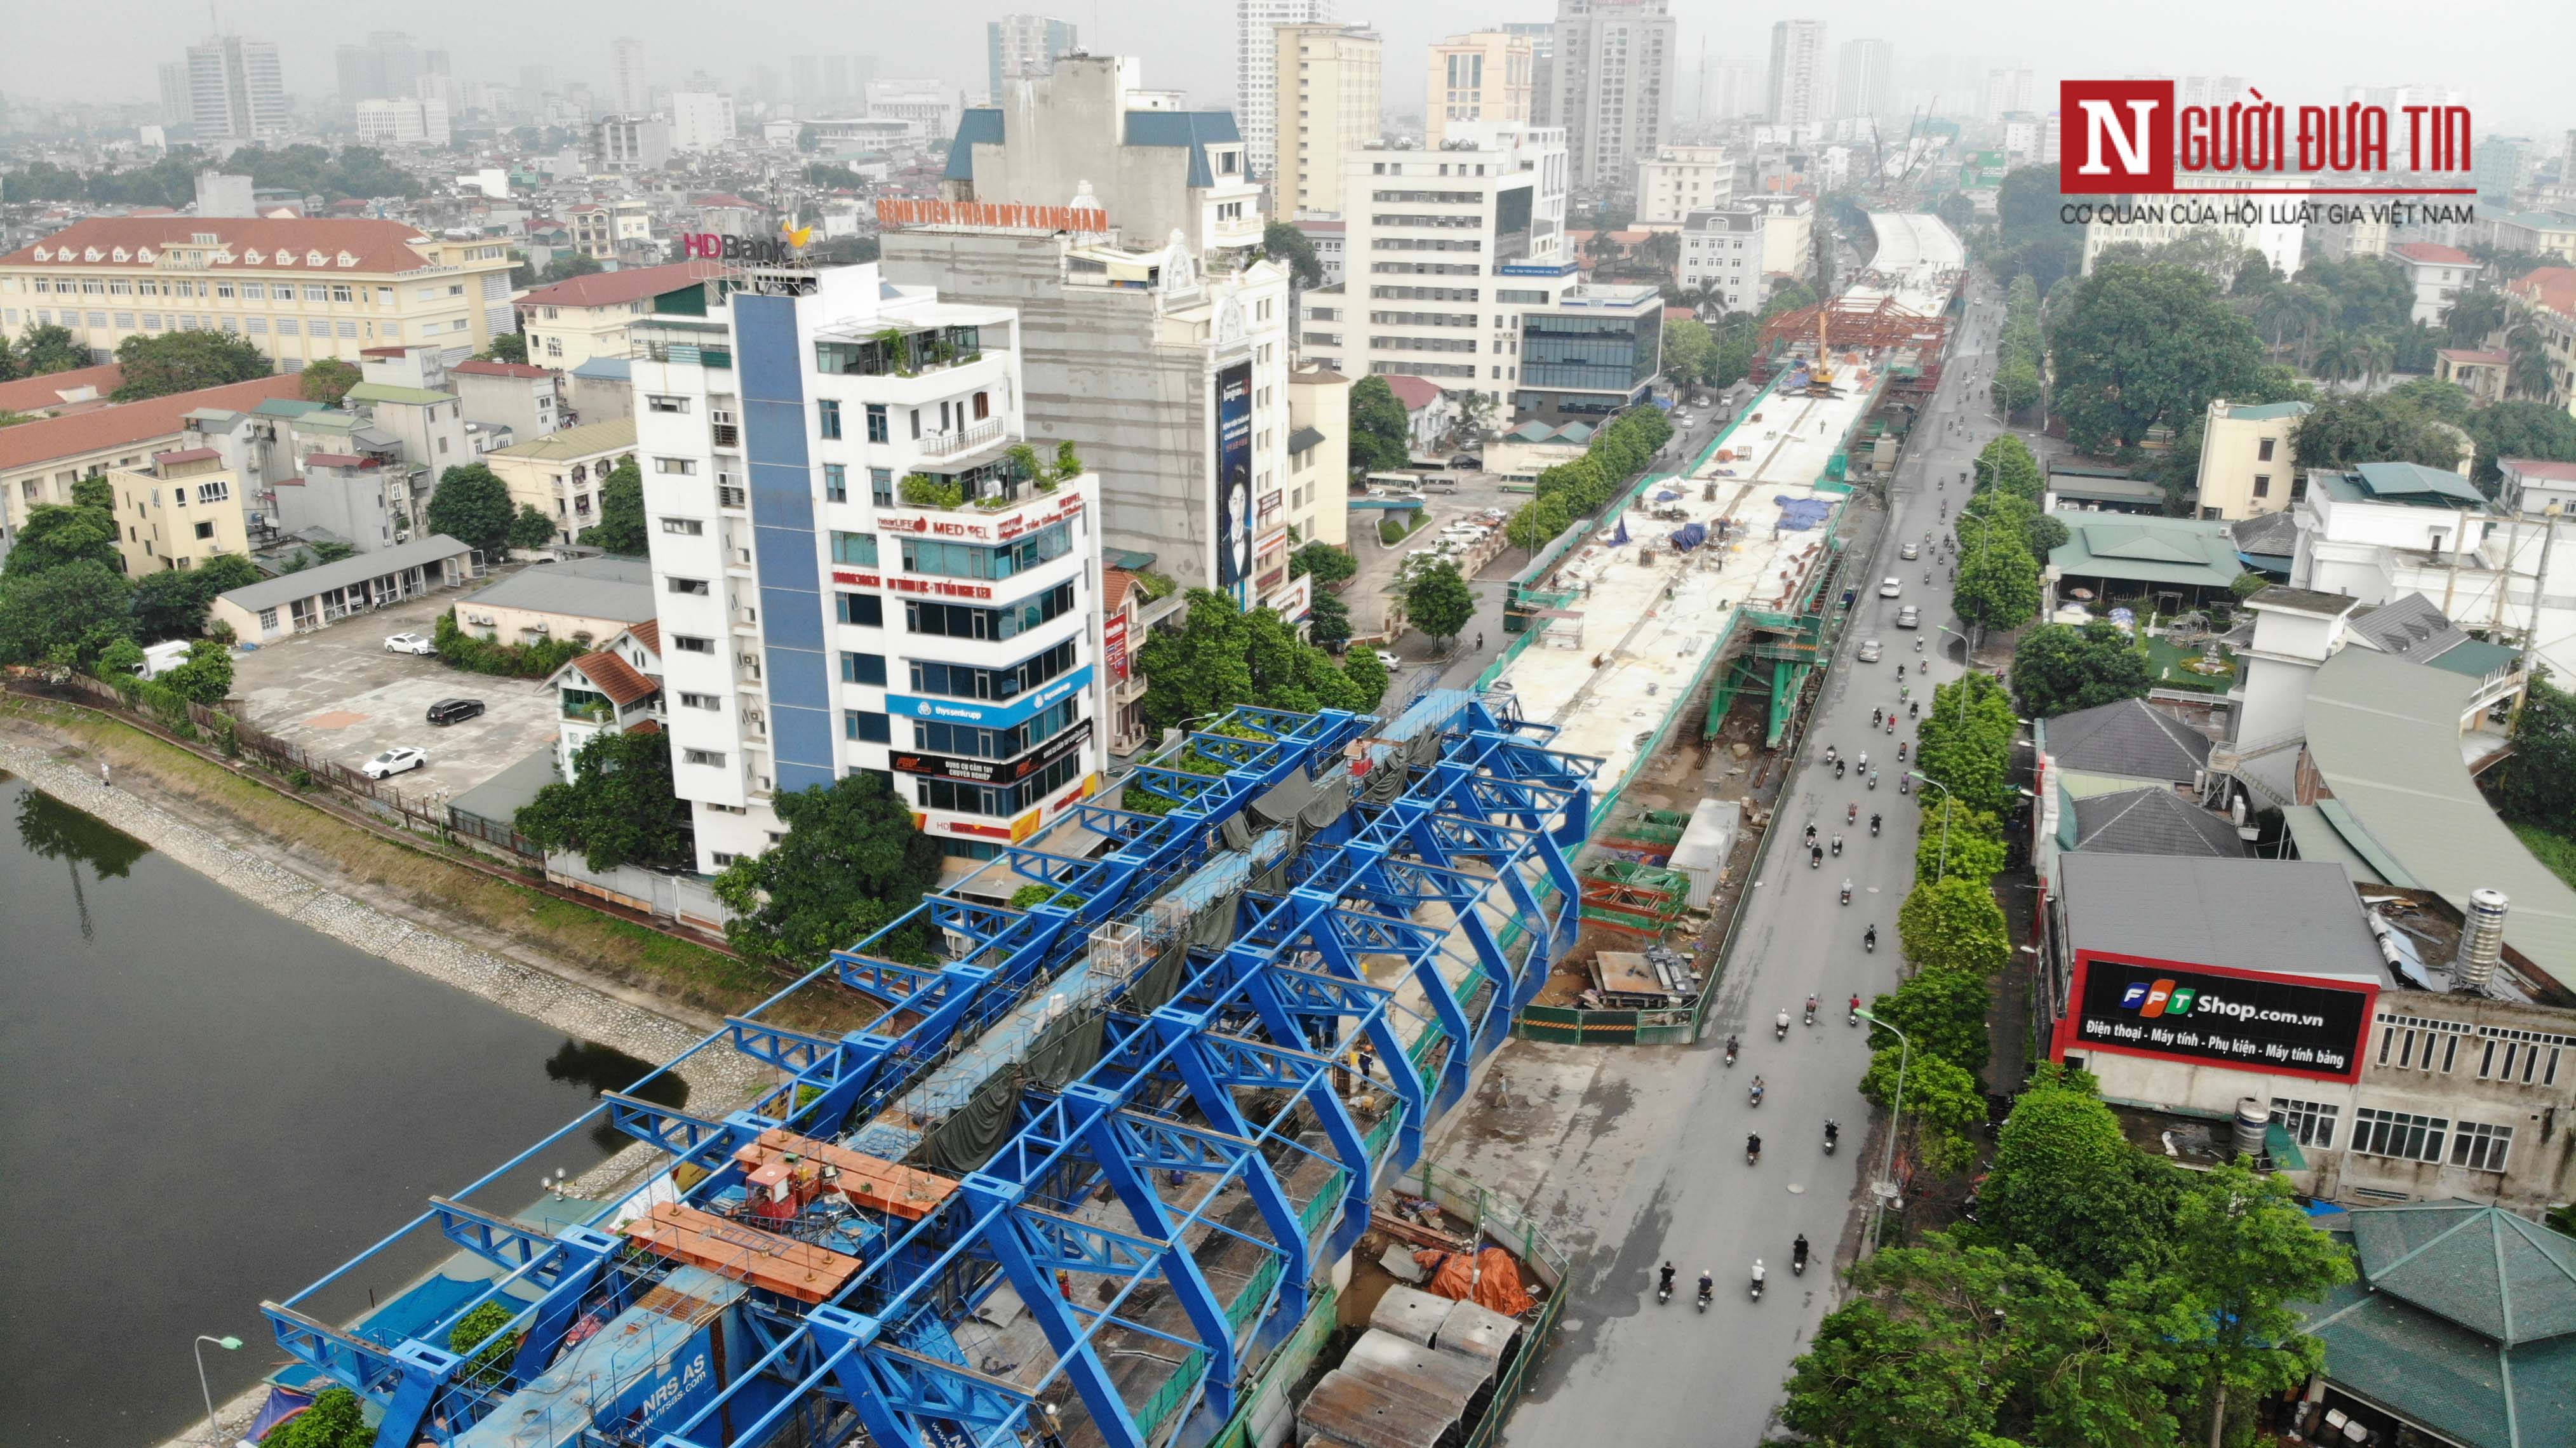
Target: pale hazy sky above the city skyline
{"x":2513,"y":55}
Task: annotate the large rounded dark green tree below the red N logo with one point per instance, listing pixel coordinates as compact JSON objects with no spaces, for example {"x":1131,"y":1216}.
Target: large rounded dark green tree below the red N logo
{"x":2150,"y":344}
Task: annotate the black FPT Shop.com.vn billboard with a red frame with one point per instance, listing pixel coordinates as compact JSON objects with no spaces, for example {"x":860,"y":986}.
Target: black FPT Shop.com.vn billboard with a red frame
{"x":2217,"y":1016}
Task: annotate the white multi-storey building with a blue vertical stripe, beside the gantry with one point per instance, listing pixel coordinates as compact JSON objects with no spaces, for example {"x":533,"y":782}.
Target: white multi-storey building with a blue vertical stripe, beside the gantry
{"x":857,"y":568}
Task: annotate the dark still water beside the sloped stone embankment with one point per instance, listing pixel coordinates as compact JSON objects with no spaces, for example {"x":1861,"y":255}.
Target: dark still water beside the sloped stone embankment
{"x":202,"y":1107}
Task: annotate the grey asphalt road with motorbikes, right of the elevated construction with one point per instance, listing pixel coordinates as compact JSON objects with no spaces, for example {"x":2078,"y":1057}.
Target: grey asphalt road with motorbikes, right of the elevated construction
{"x":1653,"y":1158}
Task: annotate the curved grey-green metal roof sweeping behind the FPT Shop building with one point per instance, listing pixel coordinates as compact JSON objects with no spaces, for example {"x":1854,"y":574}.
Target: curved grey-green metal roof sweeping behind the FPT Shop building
{"x":2387,"y":738}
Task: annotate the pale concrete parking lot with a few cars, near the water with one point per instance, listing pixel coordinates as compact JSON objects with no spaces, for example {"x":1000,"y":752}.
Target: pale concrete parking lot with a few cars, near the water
{"x":341,"y":694}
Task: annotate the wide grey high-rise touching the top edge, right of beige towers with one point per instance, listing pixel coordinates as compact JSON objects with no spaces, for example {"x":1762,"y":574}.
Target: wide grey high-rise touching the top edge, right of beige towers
{"x":1614,"y":86}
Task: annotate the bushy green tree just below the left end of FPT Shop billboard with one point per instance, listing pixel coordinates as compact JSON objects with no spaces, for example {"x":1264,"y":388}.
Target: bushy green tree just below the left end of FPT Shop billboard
{"x":2072,"y":1189}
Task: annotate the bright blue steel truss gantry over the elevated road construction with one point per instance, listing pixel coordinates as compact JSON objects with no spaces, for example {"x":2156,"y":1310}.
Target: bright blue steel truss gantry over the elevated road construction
{"x":1145,"y":1233}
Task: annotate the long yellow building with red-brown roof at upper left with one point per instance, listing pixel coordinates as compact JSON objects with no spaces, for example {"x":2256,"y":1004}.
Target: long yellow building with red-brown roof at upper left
{"x":300,"y":290}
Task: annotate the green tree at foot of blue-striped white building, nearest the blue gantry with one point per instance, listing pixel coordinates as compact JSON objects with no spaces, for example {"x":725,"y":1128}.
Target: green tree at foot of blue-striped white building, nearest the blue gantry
{"x":851,"y":862}
